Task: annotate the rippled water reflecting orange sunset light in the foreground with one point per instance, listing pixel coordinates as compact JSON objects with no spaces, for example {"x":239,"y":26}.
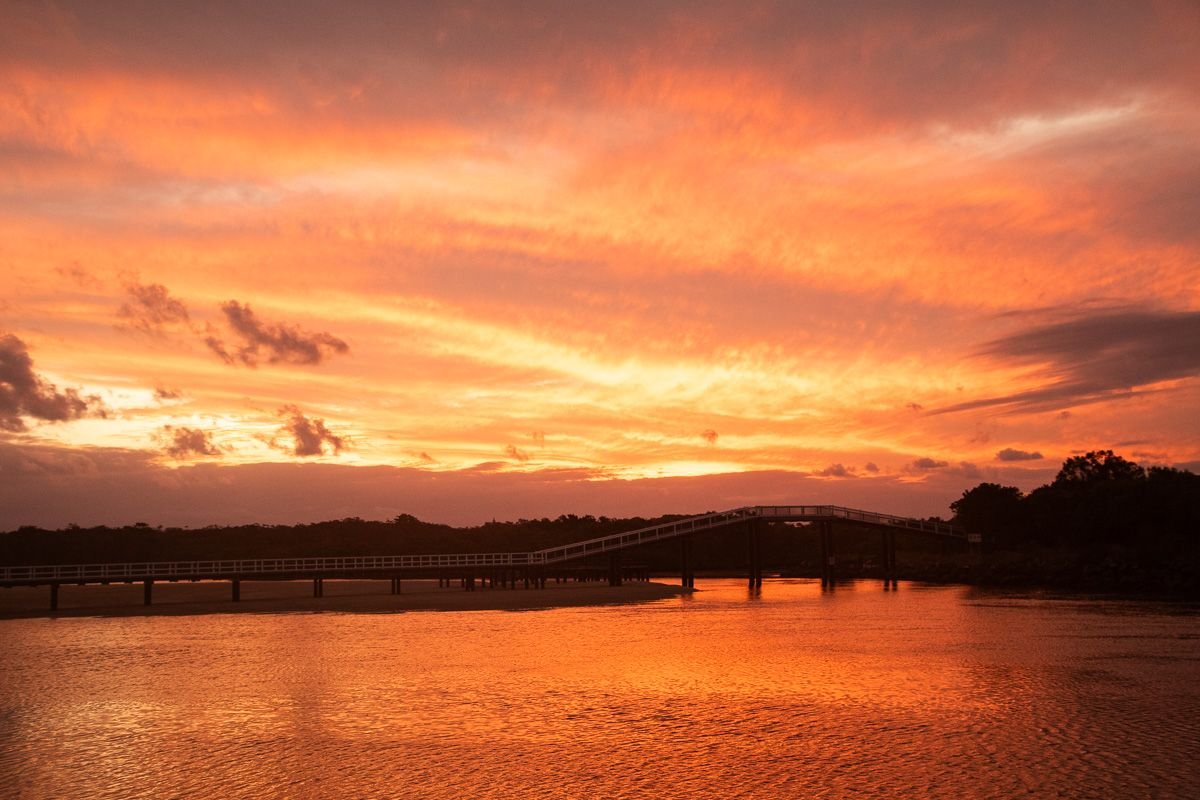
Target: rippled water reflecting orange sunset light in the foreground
{"x":923,"y":693}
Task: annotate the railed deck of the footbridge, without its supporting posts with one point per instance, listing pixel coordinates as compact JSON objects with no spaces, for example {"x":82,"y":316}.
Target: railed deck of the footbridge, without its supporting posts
{"x":394,"y":566}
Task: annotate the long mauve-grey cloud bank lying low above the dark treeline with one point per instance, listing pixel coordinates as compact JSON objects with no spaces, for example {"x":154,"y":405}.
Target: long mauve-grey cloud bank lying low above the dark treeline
{"x":207,"y":495}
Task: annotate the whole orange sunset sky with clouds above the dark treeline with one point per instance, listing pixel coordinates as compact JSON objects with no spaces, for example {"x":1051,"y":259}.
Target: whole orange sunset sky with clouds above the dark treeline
{"x":287,"y":262}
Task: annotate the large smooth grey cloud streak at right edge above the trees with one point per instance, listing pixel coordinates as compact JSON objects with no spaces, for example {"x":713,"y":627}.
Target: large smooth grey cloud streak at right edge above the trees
{"x":1096,"y":358}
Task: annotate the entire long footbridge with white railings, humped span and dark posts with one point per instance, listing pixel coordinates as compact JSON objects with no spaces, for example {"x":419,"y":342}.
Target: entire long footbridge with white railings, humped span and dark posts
{"x":507,"y":570}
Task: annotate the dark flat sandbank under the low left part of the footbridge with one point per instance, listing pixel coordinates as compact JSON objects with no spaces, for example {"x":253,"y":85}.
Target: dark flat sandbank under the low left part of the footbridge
{"x":296,"y":597}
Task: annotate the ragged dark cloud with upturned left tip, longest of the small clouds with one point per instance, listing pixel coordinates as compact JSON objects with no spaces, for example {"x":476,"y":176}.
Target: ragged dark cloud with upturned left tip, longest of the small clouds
{"x":278,"y":344}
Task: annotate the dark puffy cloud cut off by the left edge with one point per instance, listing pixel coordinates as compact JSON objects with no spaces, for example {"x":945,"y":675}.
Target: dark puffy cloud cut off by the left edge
{"x":23,"y":393}
